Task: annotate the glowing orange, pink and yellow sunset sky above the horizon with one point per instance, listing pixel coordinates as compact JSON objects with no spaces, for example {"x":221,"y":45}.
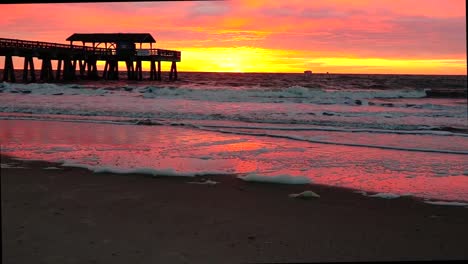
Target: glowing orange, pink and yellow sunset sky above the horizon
{"x":336,"y":36}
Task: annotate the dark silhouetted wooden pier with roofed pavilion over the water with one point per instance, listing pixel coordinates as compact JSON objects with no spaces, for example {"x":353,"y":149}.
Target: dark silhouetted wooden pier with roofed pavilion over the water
{"x":83,"y":58}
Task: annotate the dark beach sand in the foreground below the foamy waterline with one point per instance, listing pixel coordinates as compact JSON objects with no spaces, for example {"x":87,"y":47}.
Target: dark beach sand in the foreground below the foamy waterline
{"x":71,"y":215}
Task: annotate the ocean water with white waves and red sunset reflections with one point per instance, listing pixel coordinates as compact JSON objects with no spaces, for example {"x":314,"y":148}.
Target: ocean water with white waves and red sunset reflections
{"x":382,"y":135}
